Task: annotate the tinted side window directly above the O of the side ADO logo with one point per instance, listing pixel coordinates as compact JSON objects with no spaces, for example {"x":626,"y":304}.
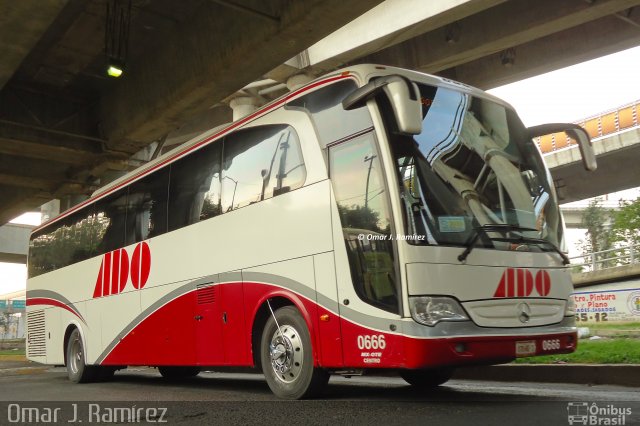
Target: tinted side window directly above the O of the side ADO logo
{"x":147,"y":207}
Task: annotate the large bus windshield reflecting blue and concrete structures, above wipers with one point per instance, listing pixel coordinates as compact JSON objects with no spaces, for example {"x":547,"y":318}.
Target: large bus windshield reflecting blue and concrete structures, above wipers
{"x":472,"y":167}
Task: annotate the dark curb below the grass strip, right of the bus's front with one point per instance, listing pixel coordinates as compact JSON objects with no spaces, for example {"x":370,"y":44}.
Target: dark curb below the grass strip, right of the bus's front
{"x":586,"y":374}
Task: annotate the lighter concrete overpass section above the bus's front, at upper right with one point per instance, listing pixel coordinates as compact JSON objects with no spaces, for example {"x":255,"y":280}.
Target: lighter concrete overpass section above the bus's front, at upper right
{"x":484,"y":43}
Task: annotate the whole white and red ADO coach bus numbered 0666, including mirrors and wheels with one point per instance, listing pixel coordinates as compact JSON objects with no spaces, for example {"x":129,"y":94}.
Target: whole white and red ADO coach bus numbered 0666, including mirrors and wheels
{"x":374,"y":219}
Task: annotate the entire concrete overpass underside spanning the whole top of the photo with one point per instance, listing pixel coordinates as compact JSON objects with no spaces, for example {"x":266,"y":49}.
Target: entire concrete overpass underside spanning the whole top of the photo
{"x":66,"y":129}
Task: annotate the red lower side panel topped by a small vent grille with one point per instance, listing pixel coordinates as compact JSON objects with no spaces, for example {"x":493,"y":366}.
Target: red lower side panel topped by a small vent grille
{"x":208,"y":323}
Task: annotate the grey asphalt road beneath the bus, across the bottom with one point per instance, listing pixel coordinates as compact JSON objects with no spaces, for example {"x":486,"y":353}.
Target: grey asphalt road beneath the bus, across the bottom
{"x":223,"y":398}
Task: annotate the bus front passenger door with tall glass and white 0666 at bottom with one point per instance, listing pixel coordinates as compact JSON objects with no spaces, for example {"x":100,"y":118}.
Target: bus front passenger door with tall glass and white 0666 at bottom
{"x":366,"y":265}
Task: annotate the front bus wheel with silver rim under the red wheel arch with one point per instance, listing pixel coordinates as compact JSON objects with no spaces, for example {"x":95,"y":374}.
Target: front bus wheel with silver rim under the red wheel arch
{"x":287,"y":357}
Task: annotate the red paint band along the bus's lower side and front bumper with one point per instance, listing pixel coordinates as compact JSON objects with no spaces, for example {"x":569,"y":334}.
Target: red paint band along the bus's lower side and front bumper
{"x":169,"y":336}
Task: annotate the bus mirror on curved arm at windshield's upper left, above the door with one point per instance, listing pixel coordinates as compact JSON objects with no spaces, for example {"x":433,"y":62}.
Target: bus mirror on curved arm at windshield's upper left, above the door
{"x":403,"y":95}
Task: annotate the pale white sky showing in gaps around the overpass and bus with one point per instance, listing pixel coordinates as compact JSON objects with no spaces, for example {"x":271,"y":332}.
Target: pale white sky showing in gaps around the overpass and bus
{"x":566,"y":95}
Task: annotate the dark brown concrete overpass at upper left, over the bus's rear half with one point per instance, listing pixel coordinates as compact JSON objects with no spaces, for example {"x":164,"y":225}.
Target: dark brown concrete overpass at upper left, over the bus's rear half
{"x":64,"y":123}
